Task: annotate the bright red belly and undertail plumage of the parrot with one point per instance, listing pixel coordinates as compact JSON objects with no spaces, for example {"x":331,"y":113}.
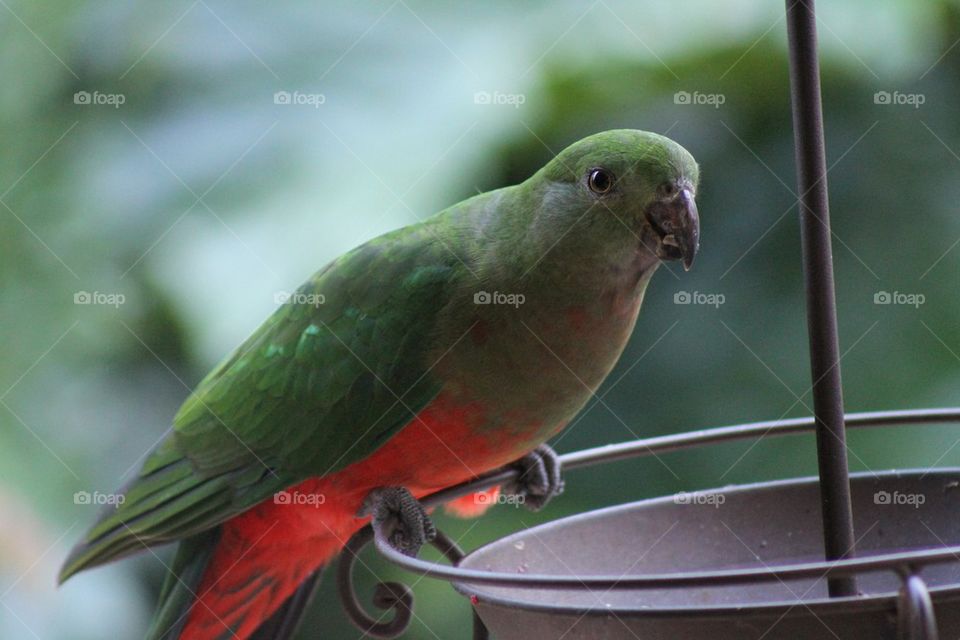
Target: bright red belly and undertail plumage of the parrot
{"x":281,"y":544}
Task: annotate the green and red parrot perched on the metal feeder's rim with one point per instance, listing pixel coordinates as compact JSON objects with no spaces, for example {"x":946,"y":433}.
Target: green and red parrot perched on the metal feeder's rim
{"x":416,"y":361}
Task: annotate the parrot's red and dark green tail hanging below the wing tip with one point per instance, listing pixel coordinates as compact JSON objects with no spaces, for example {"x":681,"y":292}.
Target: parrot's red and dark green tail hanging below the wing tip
{"x":224,"y":586}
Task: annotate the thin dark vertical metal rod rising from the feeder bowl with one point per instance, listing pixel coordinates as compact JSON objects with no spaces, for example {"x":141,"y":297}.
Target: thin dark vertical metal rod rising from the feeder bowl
{"x":818,"y":280}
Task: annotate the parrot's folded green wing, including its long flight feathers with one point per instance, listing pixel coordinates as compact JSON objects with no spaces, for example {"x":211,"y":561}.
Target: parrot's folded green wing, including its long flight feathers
{"x":331,"y":375}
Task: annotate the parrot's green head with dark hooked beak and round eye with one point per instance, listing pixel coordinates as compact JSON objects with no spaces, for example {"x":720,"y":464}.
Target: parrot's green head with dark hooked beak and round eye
{"x":630,"y":193}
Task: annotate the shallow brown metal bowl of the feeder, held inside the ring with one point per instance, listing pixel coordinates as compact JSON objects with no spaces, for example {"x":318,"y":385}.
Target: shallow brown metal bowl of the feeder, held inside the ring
{"x":759,"y":527}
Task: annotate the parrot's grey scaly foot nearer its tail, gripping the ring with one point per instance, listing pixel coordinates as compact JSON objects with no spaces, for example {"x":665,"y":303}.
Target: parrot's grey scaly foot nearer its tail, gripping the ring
{"x":401,"y":518}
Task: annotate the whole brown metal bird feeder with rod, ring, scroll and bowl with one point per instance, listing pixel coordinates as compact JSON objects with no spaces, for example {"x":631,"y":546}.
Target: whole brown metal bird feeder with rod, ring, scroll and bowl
{"x":792,"y":570}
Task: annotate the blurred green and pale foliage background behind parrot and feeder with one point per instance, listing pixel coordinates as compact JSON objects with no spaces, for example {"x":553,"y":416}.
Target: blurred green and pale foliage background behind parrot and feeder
{"x":146,"y":162}
